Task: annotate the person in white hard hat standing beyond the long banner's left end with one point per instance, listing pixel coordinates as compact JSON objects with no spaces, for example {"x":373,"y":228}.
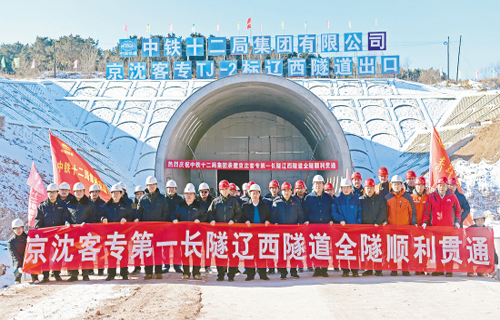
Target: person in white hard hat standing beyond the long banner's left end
{"x":17,"y":246}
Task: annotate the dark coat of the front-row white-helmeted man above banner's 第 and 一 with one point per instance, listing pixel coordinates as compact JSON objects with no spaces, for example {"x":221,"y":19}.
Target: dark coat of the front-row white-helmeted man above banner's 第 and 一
{"x":152,"y":207}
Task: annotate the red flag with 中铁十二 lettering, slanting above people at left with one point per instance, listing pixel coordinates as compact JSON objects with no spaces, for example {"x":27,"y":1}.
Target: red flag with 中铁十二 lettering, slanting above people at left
{"x":70,"y":167}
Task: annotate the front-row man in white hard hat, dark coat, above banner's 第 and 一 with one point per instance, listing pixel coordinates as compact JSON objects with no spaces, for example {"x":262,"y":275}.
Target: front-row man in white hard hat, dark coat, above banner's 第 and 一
{"x":152,"y":207}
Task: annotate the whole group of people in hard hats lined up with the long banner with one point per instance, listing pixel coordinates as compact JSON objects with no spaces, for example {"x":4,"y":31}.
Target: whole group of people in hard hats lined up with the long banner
{"x":394,"y":202}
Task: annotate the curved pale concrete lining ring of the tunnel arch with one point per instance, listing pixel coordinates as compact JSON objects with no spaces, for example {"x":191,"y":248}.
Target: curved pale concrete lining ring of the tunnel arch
{"x":251,"y":92}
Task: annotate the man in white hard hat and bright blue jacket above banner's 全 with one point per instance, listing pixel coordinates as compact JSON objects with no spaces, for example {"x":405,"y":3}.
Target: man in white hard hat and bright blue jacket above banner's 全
{"x":346,"y":209}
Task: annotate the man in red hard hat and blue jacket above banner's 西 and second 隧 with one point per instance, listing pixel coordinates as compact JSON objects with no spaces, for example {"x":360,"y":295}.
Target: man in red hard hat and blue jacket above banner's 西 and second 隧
{"x":287,"y":210}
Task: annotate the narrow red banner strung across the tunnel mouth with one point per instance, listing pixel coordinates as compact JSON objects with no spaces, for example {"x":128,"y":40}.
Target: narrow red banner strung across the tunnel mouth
{"x":251,"y":165}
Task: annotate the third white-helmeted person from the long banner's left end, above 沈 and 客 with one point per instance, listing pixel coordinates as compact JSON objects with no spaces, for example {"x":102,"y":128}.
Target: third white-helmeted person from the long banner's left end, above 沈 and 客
{"x":81,"y":210}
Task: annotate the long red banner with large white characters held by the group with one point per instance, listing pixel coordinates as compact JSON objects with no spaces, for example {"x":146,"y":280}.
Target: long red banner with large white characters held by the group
{"x":407,"y":248}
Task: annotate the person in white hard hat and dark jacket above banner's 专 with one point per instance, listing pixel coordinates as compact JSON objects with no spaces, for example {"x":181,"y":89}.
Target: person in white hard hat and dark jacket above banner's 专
{"x":117,"y":210}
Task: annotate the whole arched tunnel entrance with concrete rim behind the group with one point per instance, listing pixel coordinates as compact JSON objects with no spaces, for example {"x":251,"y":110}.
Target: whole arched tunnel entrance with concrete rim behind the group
{"x":296,"y":124}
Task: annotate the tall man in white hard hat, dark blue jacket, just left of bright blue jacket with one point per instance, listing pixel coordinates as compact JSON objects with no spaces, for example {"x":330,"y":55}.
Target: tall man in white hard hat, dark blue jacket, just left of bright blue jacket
{"x":317,"y":209}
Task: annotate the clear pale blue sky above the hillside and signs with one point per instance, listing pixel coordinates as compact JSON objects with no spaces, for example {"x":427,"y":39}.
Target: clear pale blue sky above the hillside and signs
{"x":416,"y":29}
